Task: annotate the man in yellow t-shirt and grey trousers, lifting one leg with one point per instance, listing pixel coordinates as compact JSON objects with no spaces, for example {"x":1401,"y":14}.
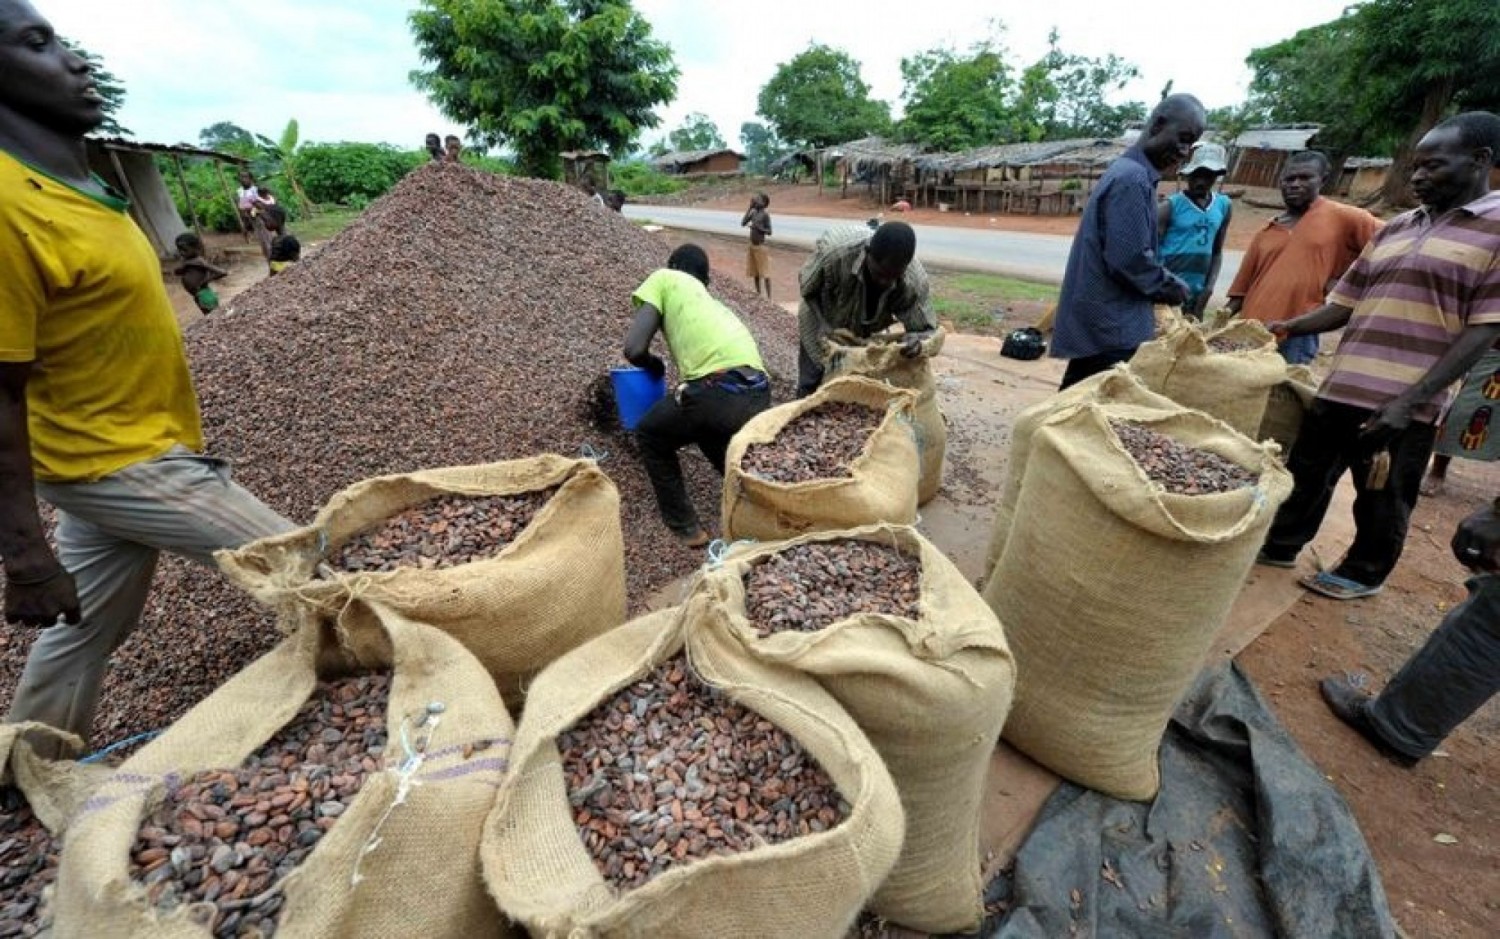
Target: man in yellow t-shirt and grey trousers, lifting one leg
{"x":98,"y":413}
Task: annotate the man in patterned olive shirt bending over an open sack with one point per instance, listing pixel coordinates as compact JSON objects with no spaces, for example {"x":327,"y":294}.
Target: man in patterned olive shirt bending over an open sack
{"x":862,"y":283}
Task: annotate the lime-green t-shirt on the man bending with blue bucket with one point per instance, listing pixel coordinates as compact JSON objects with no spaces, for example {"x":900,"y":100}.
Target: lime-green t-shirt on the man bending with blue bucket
{"x":704,"y":335}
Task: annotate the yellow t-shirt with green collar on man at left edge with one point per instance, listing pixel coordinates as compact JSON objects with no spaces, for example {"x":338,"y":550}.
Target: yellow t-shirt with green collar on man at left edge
{"x":82,"y":299}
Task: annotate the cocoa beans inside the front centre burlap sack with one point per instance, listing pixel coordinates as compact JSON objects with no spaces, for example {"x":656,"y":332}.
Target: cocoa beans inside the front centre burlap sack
{"x":670,"y":772}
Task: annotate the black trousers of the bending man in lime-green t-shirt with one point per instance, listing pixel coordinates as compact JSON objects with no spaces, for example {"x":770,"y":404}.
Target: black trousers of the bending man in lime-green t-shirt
{"x":704,"y":415}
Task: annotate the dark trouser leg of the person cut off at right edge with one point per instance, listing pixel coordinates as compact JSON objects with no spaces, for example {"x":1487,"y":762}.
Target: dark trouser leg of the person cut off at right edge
{"x":1450,"y":679}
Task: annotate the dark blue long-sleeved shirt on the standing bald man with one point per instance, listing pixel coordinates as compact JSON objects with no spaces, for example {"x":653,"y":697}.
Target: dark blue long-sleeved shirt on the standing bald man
{"x":1114,"y":274}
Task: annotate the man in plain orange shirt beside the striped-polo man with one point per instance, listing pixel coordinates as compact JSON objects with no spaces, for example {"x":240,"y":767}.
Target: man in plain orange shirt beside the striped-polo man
{"x":1301,"y":254}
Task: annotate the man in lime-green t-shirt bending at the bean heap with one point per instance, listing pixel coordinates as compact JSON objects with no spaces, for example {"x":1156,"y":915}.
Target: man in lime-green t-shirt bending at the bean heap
{"x":724,"y":382}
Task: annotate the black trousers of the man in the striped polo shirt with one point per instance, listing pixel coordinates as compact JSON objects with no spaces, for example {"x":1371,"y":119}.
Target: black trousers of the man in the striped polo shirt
{"x":1327,"y":448}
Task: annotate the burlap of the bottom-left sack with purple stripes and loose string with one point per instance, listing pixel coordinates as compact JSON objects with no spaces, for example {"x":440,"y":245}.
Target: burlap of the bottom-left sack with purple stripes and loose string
{"x":404,"y":857}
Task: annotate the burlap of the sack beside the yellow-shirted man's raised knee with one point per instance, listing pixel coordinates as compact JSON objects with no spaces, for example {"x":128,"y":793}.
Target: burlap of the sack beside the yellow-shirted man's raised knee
{"x":556,"y":587}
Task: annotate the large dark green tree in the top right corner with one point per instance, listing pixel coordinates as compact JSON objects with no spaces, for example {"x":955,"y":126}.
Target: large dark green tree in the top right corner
{"x":1379,"y":77}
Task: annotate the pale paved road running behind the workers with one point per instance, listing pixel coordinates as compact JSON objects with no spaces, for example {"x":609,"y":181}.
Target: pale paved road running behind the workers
{"x":1015,"y":254}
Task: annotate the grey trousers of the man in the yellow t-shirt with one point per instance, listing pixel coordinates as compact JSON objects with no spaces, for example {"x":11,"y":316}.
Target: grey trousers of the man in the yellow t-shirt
{"x":109,"y":538}
